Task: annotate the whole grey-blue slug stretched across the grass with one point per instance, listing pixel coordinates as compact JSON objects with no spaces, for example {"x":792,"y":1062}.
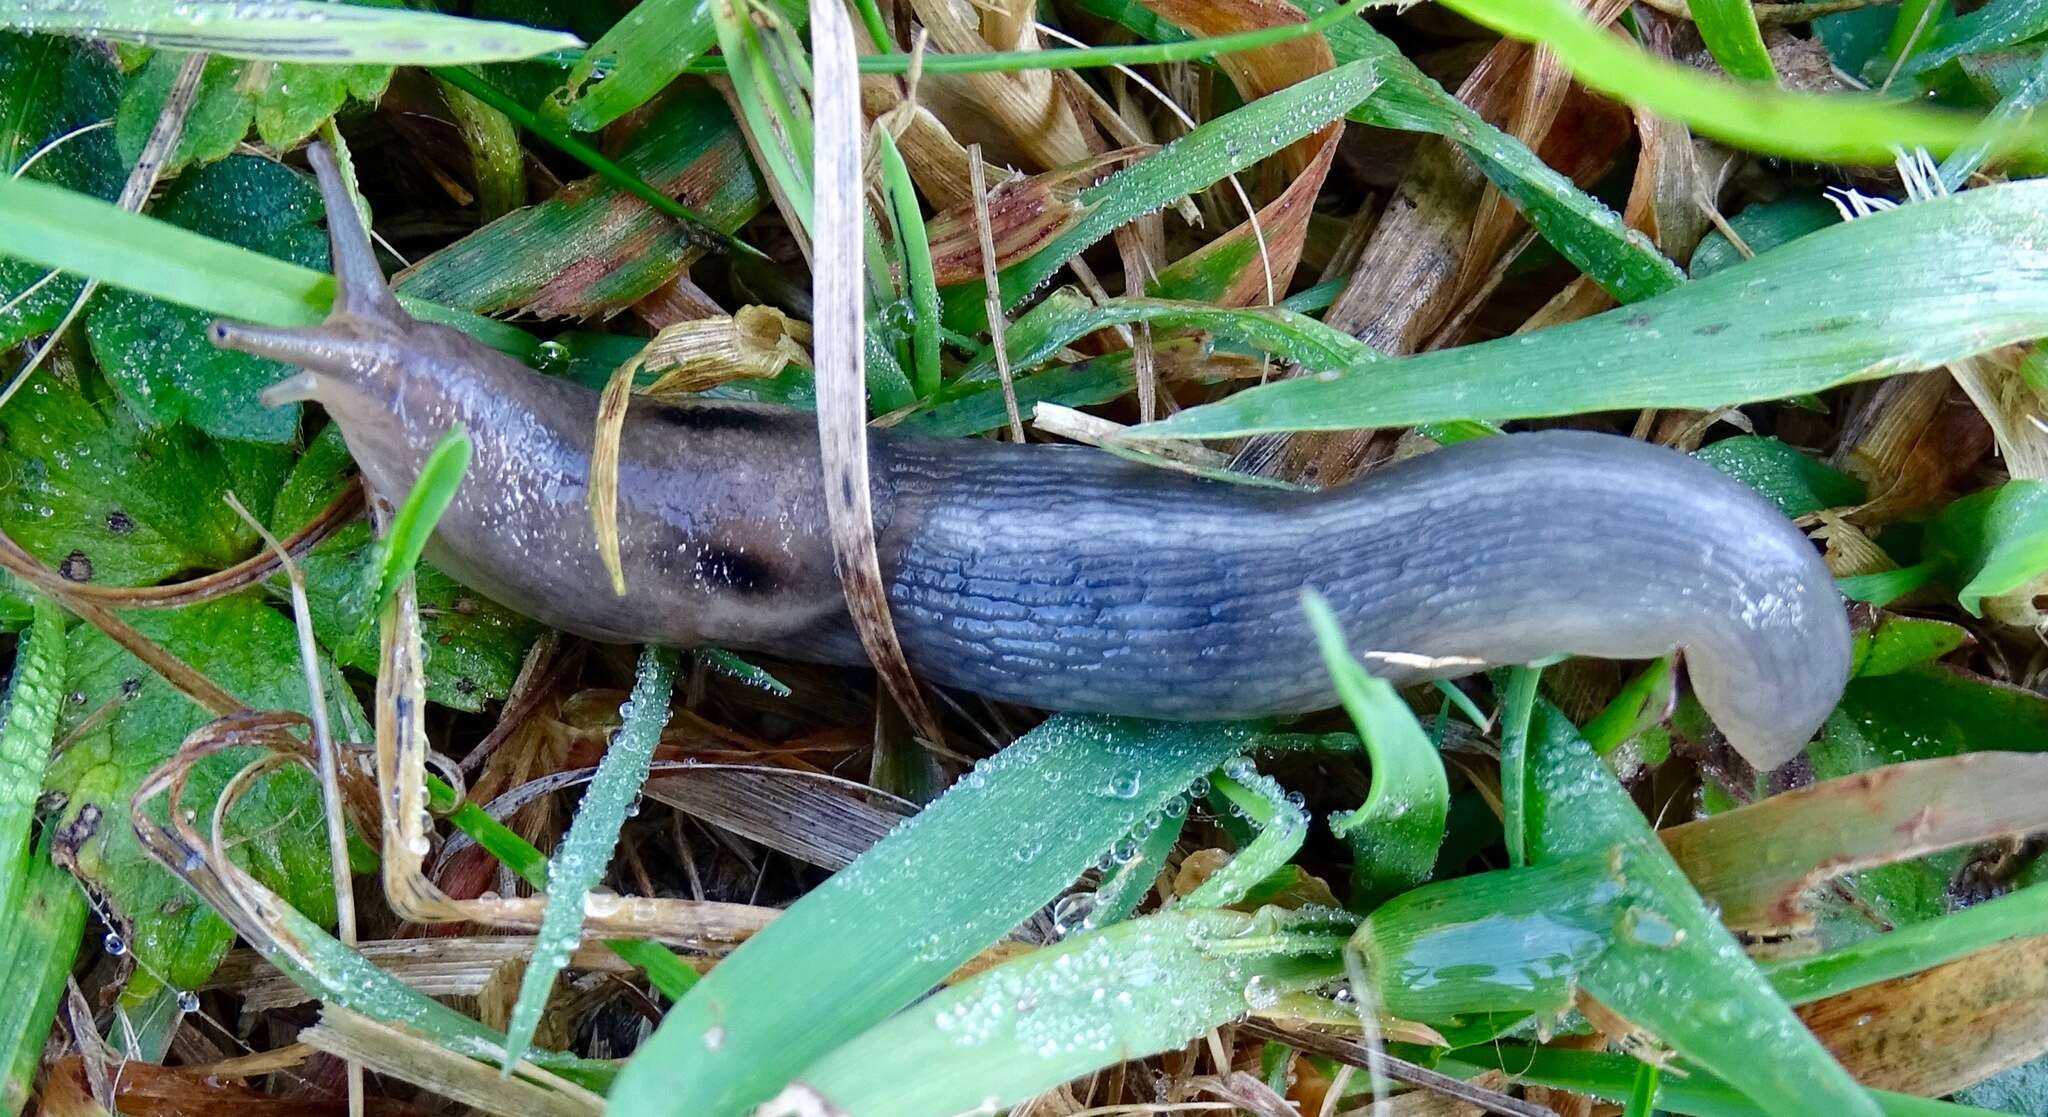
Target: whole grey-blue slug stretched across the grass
{"x":1070,"y":579}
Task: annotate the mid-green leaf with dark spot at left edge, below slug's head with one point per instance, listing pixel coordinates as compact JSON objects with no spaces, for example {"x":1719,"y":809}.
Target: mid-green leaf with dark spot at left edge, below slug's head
{"x":103,"y":499}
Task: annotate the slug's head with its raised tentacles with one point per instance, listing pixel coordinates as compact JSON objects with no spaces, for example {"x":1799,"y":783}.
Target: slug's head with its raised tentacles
{"x":353,"y":362}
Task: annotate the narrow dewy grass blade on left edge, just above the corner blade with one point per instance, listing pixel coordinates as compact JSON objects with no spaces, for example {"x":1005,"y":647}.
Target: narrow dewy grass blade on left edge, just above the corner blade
{"x":28,"y":729}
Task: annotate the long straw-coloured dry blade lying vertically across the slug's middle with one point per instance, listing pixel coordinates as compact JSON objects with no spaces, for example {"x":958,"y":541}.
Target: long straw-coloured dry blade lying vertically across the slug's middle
{"x":843,"y":399}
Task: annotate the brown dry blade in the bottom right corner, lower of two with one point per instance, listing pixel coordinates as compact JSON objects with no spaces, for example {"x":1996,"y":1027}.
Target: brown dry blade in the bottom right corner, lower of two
{"x":1943,"y":1030}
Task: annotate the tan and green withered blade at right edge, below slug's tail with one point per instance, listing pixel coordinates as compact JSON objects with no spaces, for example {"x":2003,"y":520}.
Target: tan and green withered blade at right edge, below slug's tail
{"x":1854,"y":823}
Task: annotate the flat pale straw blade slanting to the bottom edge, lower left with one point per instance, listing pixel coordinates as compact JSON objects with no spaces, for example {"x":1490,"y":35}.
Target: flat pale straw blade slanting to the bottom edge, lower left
{"x":525,"y":1091}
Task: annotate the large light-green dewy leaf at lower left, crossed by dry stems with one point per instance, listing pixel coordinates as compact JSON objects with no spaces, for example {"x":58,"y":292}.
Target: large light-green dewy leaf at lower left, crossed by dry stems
{"x":273,"y":831}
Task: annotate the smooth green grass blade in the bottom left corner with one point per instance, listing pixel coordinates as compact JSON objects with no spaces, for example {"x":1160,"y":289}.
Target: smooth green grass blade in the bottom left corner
{"x":38,"y":946}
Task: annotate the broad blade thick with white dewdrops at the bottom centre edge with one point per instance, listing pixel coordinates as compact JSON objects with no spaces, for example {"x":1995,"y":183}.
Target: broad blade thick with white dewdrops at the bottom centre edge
{"x":1099,"y":999}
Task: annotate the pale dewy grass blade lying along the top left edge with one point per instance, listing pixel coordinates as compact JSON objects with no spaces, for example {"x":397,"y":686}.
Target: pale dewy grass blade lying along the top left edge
{"x":292,"y":32}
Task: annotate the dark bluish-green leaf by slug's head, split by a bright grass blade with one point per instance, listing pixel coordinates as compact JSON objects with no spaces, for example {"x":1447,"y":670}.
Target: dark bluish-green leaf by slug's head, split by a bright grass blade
{"x":159,"y":354}
